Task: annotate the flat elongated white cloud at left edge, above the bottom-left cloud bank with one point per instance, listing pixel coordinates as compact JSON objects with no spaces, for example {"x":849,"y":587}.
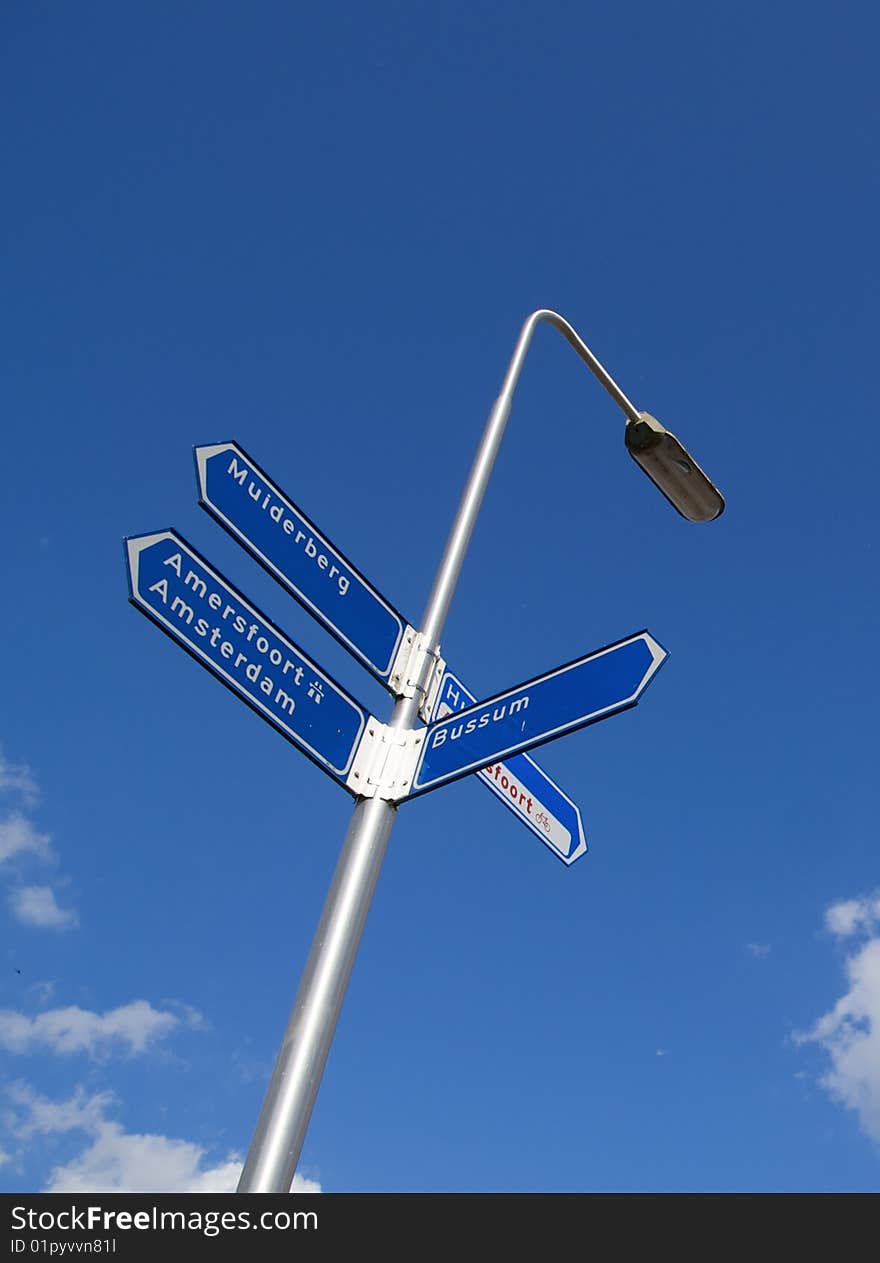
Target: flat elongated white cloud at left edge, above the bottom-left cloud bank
{"x":73,"y":1030}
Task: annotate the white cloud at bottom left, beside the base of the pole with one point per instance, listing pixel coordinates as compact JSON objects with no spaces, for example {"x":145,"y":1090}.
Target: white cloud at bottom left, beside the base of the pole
{"x":119,"y":1161}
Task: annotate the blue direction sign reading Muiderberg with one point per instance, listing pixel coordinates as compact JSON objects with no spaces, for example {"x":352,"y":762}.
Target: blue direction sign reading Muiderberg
{"x":235,"y":491}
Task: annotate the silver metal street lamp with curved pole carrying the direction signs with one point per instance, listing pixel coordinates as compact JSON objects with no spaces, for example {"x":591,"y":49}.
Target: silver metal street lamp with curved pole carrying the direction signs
{"x":296,"y":1078}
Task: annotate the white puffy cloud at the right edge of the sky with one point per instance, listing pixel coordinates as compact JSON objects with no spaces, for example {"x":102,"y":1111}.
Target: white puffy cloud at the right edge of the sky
{"x":850,"y":1033}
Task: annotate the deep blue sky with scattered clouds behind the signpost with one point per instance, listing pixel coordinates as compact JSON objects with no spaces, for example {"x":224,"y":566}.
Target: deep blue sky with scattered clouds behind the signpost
{"x":318,"y":232}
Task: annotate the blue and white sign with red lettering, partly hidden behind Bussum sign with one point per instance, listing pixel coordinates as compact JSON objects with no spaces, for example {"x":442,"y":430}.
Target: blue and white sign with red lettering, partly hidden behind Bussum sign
{"x":522,"y":786}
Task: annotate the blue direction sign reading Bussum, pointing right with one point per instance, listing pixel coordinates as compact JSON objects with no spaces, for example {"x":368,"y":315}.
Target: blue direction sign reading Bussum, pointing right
{"x":570,"y":698}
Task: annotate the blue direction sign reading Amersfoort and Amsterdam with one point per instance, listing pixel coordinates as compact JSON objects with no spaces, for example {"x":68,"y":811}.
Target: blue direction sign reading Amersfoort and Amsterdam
{"x":185,"y":597}
